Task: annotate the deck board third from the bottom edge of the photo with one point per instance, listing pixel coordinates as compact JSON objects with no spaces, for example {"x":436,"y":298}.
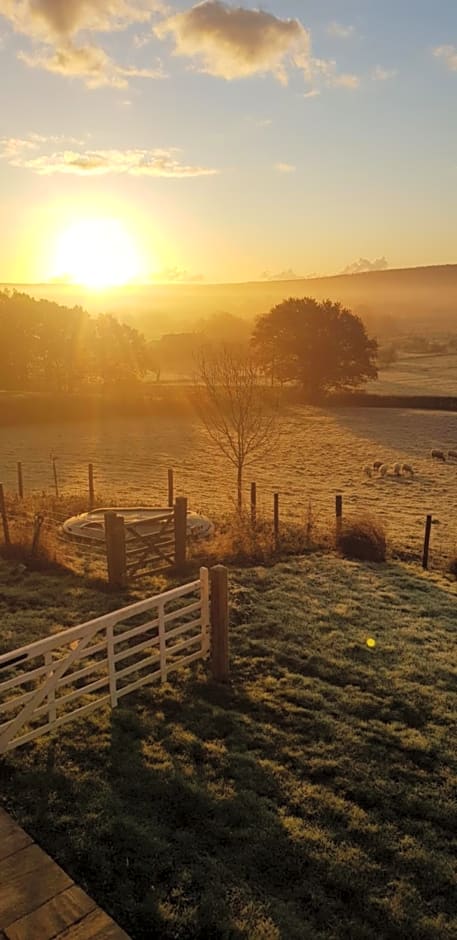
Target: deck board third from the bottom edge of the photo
{"x":23,"y":894}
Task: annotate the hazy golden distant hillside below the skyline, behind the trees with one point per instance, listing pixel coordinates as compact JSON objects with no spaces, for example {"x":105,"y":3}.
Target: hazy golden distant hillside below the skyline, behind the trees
{"x":425,"y":297}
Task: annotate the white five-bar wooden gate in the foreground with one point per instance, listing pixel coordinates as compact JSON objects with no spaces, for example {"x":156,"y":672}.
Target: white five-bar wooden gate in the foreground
{"x":72,"y":673}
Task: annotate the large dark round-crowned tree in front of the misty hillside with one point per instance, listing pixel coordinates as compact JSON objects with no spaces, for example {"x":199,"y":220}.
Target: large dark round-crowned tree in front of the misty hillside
{"x":322,"y":346}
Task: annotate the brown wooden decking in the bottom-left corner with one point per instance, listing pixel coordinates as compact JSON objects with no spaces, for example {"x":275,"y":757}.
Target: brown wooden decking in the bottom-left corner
{"x":38,"y":901}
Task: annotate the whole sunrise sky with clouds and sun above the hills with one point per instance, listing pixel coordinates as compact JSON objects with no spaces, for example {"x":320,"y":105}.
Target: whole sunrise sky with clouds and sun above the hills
{"x":217,"y":141}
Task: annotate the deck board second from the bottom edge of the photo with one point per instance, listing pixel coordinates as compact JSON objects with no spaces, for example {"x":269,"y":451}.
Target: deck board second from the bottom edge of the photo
{"x":49,"y":920}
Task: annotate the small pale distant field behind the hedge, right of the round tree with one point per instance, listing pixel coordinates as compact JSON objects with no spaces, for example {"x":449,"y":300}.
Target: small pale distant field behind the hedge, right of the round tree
{"x":418,"y":375}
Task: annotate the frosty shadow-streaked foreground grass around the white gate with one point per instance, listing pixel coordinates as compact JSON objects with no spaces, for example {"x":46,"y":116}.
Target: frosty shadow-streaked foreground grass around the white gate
{"x":313,"y":797}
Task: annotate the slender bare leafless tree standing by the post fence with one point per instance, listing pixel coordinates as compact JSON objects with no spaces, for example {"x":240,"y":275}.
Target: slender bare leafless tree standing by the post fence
{"x":234,"y":408}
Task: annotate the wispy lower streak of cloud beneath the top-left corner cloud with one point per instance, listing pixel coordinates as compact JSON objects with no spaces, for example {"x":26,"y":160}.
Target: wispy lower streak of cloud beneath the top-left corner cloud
{"x":90,"y":63}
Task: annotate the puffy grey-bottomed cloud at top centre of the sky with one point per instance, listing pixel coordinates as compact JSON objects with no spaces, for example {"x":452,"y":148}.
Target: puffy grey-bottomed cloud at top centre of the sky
{"x":232,"y":42}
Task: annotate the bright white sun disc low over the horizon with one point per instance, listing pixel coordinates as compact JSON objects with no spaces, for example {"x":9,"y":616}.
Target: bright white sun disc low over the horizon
{"x":97,"y":253}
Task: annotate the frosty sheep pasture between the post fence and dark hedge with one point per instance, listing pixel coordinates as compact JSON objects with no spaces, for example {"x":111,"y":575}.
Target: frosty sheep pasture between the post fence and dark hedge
{"x":319,"y":453}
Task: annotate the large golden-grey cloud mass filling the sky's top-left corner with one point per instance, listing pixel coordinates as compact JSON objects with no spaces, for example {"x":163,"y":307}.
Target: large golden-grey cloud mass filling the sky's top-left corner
{"x":55,"y":24}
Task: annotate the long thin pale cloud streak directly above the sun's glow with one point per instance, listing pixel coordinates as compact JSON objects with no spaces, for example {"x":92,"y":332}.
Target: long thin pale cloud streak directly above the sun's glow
{"x":158,"y":163}
